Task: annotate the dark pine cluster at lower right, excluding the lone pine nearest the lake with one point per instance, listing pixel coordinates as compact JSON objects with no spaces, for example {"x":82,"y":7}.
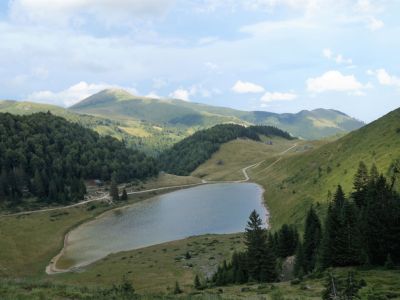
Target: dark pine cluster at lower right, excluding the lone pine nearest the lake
{"x":363,"y":229}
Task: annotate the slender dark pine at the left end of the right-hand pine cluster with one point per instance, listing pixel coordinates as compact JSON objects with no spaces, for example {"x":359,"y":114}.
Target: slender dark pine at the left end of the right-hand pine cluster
{"x":312,"y":240}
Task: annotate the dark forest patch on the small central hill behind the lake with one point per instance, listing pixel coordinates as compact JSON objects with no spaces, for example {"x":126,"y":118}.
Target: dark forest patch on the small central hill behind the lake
{"x":186,"y":155}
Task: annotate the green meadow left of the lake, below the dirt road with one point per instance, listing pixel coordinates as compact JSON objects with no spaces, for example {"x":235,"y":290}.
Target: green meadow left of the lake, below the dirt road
{"x":29,"y":242}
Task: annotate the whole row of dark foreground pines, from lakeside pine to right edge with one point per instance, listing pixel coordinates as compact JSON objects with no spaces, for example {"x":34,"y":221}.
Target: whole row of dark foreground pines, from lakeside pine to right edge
{"x":361,"y":229}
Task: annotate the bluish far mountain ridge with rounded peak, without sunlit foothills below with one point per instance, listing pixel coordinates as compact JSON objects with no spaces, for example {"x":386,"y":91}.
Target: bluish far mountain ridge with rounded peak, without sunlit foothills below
{"x":119,"y":104}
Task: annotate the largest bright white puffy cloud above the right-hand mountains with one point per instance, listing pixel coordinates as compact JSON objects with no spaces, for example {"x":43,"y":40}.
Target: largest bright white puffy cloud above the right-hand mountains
{"x":334,"y":81}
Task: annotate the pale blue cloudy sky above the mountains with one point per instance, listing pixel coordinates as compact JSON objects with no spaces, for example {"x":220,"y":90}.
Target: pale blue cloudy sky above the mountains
{"x":272,"y":55}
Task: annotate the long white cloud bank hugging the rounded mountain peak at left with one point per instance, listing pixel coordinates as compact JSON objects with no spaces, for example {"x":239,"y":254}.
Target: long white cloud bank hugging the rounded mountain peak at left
{"x":73,"y":94}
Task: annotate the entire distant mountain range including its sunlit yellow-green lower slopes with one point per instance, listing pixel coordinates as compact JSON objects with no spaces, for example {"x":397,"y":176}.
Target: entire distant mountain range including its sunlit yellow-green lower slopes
{"x":156,"y":124}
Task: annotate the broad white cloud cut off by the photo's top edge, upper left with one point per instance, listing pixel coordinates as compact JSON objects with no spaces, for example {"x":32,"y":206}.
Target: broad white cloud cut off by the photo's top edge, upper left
{"x":109,"y":11}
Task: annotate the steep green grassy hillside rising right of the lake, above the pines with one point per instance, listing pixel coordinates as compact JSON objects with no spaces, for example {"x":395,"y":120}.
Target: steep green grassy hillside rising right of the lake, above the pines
{"x":298,"y":180}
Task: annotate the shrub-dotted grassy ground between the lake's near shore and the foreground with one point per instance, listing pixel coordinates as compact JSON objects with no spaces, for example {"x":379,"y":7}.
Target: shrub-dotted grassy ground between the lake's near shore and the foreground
{"x":155,"y":268}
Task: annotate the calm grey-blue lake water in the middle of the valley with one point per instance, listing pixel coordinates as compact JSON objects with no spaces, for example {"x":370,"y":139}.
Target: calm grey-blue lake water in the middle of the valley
{"x":212,"y":208}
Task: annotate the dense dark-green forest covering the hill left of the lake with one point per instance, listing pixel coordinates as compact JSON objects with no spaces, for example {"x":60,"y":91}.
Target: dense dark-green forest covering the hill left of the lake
{"x":47,"y":157}
